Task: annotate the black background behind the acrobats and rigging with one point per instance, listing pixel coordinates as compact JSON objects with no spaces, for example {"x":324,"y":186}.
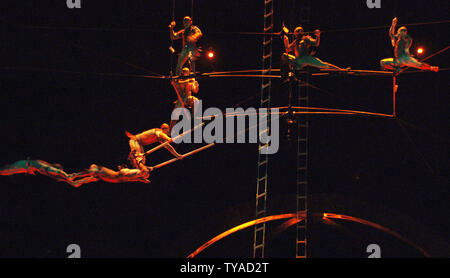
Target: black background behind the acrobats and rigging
{"x":54,"y":108}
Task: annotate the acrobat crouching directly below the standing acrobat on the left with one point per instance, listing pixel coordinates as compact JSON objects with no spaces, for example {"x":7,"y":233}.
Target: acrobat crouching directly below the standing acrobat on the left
{"x":184,"y":87}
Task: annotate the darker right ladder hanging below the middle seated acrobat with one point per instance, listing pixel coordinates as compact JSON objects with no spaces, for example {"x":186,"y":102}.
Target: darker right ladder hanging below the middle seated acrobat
{"x":302,"y":151}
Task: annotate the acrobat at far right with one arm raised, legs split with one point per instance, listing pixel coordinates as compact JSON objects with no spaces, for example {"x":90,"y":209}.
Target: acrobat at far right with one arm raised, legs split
{"x":401,"y":42}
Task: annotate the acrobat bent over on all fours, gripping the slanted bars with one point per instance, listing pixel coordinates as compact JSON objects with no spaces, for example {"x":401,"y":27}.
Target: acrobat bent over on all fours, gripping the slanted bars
{"x":137,"y":143}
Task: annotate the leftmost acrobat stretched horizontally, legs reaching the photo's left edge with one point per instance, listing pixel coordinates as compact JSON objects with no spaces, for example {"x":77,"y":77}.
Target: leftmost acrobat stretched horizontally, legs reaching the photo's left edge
{"x":28,"y":166}
